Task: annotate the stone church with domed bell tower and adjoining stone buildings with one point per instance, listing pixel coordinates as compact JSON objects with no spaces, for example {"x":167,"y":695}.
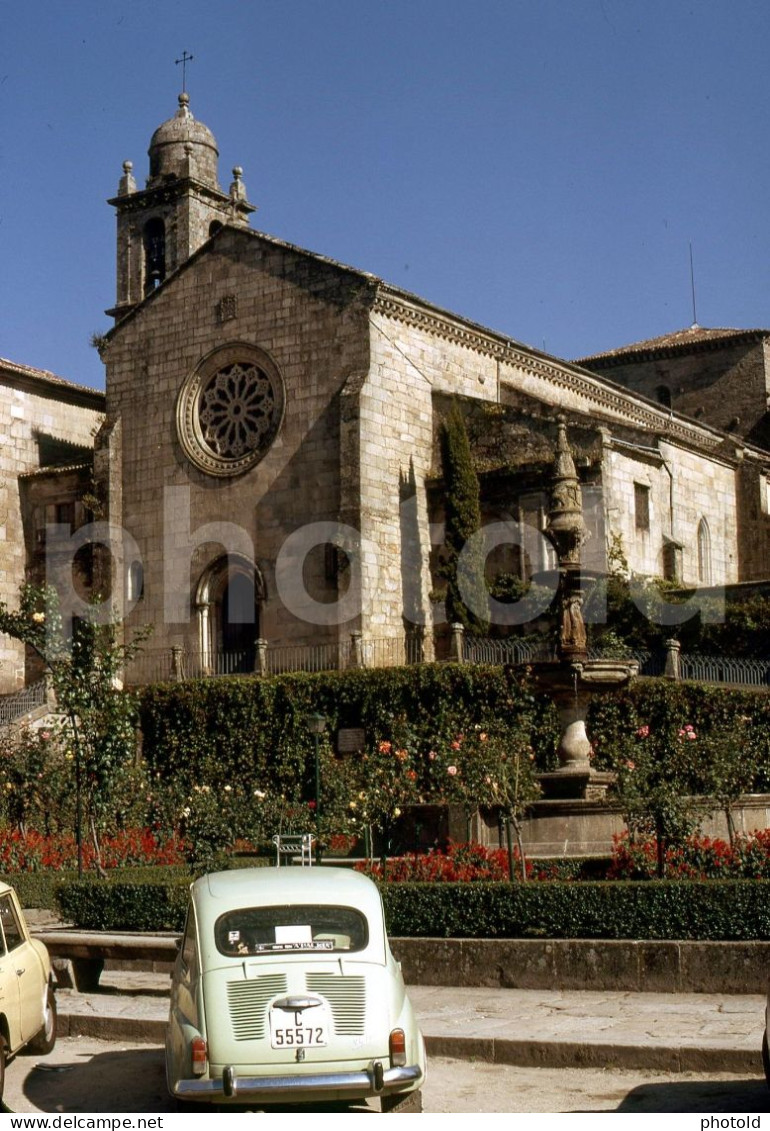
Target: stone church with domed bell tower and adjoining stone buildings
{"x":266,"y":465}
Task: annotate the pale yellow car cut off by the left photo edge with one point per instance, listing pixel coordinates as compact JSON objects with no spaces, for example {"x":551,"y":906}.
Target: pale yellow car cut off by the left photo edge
{"x":28,"y":1004}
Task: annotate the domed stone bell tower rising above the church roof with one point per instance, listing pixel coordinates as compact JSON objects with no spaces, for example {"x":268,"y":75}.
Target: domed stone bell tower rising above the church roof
{"x":183,"y":206}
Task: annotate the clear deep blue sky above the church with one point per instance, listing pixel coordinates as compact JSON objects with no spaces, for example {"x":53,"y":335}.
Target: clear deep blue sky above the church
{"x":540,"y":167}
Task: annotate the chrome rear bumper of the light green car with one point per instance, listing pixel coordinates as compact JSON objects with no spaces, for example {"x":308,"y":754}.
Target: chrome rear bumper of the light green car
{"x":275,"y":1087}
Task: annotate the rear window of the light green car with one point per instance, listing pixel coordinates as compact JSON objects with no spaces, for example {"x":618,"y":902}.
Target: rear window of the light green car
{"x":290,"y":930}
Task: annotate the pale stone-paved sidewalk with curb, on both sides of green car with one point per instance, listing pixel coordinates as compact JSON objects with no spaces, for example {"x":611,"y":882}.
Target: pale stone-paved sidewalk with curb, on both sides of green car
{"x":668,"y":1033}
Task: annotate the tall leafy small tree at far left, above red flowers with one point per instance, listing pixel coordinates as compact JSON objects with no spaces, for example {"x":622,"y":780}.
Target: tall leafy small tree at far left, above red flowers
{"x":98,"y":721}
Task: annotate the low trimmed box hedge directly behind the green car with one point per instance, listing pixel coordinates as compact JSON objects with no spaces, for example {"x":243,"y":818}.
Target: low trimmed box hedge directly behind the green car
{"x":716,"y":910}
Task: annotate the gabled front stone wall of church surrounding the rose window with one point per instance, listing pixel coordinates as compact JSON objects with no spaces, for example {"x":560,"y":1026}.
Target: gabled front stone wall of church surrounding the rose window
{"x":308,"y":318}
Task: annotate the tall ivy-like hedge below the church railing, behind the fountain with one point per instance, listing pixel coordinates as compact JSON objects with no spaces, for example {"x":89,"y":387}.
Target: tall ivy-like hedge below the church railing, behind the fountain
{"x":254,"y":730}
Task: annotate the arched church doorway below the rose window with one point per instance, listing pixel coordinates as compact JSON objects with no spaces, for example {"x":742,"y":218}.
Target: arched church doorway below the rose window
{"x":229,"y":603}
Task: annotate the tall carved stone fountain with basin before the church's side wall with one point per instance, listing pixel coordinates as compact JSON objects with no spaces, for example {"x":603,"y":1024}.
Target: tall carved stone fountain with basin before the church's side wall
{"x":573,"y":679}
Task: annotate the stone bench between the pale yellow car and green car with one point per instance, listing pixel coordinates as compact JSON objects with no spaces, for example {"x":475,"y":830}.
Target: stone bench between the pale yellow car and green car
{"x":79,"y":957}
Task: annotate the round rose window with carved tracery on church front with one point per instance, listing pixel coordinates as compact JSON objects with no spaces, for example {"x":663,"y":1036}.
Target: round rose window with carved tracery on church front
{"x":230,"y":411}
